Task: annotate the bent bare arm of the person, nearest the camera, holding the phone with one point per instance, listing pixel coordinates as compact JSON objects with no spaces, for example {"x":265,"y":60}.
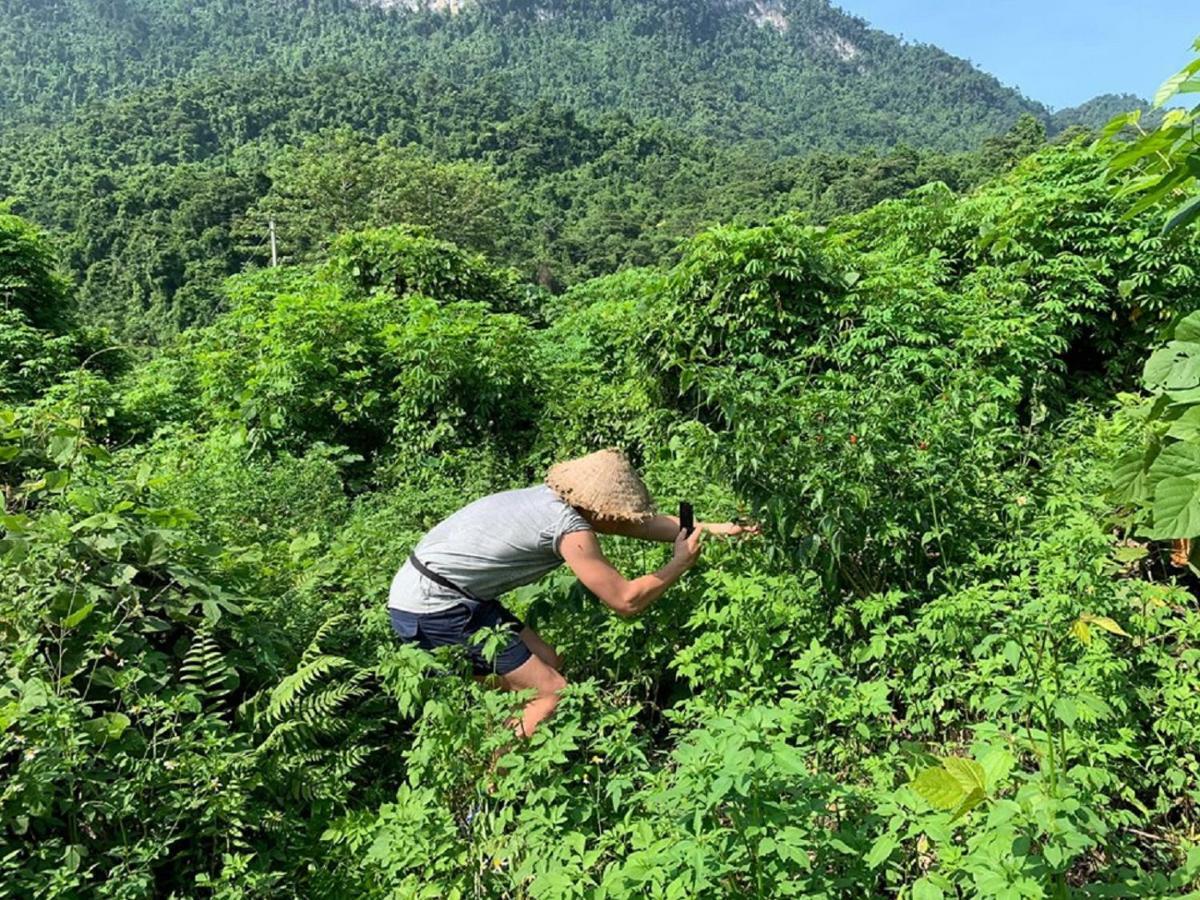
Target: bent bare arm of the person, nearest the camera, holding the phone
{"x":581,"y":551}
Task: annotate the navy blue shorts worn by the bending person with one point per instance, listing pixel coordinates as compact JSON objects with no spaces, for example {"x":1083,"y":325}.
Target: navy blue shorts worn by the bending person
{"x":455,"y":627}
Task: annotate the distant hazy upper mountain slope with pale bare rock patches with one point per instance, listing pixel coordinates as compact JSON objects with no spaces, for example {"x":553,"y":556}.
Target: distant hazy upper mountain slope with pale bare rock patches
{"x":799,"y":75}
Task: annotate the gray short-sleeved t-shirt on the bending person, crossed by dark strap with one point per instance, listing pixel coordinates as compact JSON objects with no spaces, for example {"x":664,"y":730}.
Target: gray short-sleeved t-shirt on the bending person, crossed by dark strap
{"x":489,"y":548}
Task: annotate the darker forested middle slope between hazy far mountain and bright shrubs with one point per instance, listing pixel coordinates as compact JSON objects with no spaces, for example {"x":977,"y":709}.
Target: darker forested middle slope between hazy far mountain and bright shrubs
{"x":152,"y":221}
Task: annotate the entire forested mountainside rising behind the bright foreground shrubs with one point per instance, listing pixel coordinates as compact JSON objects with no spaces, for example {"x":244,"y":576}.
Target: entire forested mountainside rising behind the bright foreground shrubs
{"x":158,"y":141}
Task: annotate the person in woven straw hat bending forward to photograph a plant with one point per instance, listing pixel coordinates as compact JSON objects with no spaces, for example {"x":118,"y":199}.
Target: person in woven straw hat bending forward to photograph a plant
{"x":448,"y":590}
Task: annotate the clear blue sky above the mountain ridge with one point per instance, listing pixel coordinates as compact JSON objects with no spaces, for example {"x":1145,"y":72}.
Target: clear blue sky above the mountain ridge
{"x":1060,"y":52}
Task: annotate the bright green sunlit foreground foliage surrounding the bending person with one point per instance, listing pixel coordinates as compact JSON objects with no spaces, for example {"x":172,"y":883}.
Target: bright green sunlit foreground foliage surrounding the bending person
{"x":953,"y":667}
